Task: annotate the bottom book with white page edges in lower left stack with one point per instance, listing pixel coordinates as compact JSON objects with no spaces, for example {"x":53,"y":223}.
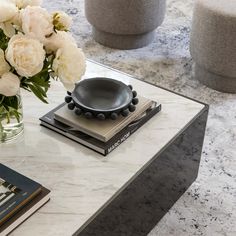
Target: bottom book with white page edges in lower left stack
{"x":30,"y":208}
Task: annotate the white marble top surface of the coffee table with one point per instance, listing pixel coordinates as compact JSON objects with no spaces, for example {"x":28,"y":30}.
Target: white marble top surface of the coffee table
{"x":81,"y":181}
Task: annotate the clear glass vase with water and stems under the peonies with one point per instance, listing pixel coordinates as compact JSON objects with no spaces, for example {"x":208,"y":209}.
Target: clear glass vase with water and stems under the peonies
{"x":11,"y":126}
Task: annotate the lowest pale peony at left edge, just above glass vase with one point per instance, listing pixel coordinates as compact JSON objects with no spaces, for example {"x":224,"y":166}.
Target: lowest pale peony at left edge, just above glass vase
{"x":9,"y":84}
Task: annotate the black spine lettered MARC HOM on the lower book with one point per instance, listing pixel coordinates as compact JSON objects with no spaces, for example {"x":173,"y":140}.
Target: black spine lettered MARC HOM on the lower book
{"x":127,"y":132}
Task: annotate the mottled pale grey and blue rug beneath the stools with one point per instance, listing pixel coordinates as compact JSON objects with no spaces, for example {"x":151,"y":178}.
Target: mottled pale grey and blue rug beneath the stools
{"x":209,"y":206}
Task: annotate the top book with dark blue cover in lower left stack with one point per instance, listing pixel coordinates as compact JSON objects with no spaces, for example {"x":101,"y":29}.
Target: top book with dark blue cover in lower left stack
{"x":15,"y":191}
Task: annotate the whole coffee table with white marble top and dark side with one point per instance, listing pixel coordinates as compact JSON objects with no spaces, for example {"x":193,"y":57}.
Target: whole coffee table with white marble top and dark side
{"x":123,"y":194}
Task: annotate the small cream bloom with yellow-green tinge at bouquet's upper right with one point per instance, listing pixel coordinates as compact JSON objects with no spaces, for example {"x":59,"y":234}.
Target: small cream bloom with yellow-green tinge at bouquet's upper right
{"x":61,"y":21}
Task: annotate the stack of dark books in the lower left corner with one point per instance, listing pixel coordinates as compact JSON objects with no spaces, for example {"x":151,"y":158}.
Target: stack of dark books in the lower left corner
{"x":20,"y":197}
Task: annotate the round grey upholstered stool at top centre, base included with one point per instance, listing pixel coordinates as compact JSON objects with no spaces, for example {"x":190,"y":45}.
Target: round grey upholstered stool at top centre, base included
{"x":125,"y":24}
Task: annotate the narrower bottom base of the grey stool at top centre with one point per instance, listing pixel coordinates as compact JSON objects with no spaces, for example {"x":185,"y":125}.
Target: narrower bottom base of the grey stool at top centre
{"x":123,"y":41}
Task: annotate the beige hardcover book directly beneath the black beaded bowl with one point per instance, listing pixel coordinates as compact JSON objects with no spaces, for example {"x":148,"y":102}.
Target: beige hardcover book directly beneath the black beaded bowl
{"x":100,"y":129}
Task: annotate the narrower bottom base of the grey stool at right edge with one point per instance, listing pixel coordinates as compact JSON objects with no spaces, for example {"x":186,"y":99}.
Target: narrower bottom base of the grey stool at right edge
{"x":215,"y":81}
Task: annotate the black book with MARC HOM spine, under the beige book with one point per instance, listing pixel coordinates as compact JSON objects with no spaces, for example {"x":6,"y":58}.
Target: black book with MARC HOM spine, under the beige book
{"x":103,"y":148}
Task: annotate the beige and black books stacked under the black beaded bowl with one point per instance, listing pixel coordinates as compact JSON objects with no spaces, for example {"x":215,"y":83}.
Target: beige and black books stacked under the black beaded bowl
{"x":101,"y":136}
